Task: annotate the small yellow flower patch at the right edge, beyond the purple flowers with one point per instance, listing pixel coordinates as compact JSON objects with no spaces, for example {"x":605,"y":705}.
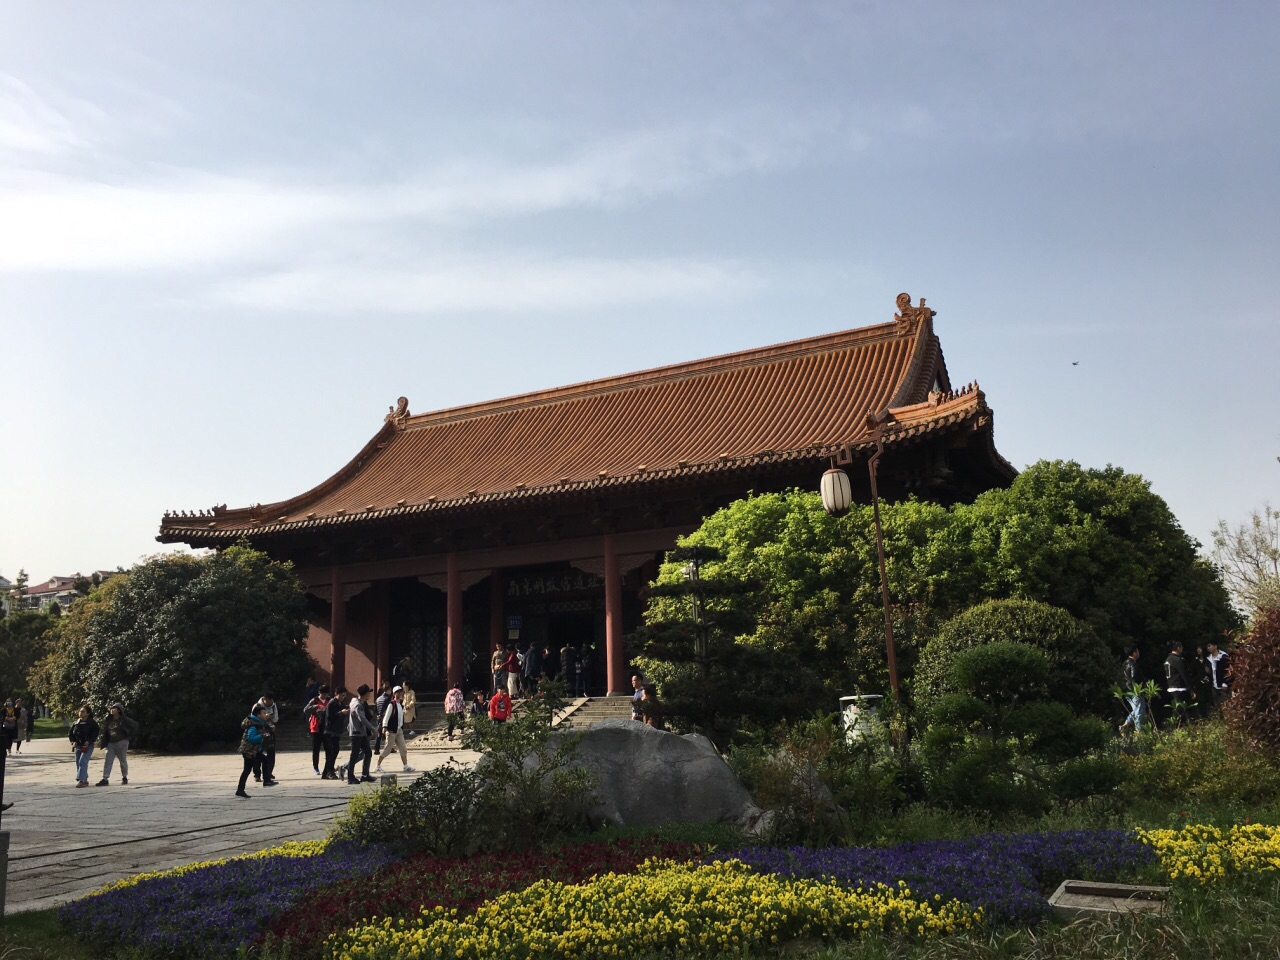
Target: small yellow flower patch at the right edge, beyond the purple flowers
{"x":1205,"y":854}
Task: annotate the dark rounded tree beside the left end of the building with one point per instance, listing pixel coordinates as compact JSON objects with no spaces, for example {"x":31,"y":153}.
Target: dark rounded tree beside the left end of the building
{"x":186,"y":643}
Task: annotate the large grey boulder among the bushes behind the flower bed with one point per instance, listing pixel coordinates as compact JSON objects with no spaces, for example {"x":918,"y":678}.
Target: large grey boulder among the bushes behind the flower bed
{"x":648,"y":778}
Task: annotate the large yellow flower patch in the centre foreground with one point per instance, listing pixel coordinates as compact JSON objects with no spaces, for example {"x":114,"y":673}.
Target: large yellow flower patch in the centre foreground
{"x":674,"y":909}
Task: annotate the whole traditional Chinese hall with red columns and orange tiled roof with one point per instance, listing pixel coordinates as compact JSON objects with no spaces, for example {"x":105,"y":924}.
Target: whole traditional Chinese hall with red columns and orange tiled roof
{"x":545,"y":516}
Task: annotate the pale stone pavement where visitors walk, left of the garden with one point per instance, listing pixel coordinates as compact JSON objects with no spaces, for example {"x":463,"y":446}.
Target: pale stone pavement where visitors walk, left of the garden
{"x":66,"y":842}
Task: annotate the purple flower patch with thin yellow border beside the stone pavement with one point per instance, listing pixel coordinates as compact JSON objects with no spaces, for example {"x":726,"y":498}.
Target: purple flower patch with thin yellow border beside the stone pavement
{"x":216,"y":908}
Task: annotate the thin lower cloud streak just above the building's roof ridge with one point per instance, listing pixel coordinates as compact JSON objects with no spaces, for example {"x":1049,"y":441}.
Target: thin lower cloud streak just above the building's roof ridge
{"x":493,"y":285}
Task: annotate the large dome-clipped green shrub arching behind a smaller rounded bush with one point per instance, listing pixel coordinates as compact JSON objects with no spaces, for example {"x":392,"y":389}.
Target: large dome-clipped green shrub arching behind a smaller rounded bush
{"x":1080,"y":665}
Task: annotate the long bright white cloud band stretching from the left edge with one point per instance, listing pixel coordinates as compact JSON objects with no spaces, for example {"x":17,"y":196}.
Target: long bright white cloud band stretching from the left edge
{"x":170,"y":218}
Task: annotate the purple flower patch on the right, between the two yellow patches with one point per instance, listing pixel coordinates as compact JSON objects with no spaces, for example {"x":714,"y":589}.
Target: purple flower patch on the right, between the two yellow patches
{"x":1007,"y":875}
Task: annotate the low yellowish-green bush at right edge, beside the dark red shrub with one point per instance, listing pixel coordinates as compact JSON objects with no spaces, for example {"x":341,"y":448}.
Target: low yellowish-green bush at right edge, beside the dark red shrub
{"x":1201,"y":764}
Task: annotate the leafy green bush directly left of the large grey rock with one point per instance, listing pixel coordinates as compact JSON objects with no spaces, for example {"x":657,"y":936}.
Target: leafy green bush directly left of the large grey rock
{"x":531,"y":792}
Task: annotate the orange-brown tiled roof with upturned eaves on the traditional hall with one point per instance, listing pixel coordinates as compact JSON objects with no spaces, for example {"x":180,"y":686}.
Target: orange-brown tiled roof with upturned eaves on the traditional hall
{"x":804,"y":399}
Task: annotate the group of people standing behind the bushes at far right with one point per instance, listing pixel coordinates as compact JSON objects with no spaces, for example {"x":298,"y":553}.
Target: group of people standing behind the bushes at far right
{"x":1194,"y":687}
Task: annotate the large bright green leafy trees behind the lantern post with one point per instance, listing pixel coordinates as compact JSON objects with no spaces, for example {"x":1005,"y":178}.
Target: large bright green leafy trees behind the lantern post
{"x":1098,"y":545}
